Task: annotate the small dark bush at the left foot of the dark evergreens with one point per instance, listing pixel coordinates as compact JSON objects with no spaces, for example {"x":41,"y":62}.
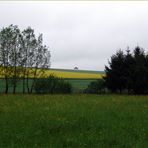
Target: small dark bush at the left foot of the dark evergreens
{"x":96,"y":87}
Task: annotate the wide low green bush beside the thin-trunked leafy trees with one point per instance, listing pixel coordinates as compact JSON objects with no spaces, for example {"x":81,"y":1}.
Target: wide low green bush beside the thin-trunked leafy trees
{"x":52,"y":85}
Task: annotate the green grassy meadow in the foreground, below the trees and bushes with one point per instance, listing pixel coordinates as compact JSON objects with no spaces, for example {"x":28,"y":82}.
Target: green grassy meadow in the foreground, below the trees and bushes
{"x":73,"y":121}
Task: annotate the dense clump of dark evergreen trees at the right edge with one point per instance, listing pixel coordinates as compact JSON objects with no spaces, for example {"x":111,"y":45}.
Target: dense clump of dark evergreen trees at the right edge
{"x":128,"y":72}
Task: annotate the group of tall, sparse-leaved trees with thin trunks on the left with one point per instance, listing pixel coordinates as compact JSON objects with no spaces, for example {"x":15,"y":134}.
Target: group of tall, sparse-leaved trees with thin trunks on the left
{"x":22,"y":56}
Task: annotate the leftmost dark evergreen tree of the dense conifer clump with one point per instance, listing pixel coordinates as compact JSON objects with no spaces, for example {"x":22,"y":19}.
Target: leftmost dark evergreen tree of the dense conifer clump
{"x":115,"y":79}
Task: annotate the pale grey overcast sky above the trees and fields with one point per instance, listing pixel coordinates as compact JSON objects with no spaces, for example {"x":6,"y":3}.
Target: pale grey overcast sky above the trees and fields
{"x":83,"y":34}
